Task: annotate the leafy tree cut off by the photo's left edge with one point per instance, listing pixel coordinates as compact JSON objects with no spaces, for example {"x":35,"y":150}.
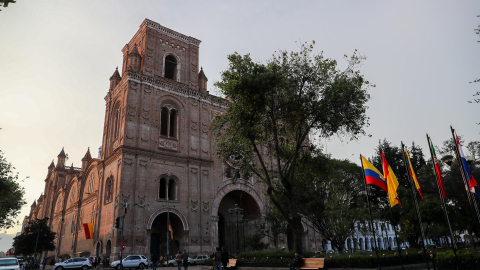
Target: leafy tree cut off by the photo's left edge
{"x":11,"y":194}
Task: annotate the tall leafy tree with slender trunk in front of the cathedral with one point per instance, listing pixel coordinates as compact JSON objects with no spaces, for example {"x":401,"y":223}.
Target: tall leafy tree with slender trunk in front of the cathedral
{"x":276,"y":112}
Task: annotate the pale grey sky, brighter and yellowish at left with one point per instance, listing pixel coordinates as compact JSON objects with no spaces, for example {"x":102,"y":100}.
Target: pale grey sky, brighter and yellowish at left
{"x":56,"y":59}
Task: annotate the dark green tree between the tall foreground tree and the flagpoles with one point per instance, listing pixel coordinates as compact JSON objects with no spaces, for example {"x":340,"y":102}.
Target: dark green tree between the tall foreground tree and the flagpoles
{"x":334,"y":199}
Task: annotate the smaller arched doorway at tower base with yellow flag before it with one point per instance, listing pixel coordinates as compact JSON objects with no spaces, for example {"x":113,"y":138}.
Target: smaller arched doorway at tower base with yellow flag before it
{"x":160,"y":234}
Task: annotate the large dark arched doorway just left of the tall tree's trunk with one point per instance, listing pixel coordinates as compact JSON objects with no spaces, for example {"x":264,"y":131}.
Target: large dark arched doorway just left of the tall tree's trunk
{"x":232,"y":230}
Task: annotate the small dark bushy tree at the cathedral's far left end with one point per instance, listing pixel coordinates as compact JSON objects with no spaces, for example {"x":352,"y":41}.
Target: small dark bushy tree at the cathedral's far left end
{"x":26,"y":242}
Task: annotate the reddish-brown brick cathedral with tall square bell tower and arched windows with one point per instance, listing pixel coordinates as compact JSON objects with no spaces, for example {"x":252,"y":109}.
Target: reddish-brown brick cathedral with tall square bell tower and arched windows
{"x":157,"y":144}
